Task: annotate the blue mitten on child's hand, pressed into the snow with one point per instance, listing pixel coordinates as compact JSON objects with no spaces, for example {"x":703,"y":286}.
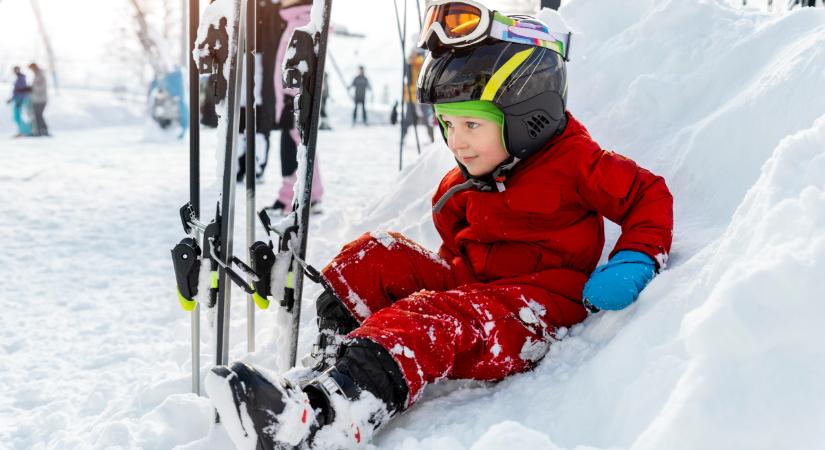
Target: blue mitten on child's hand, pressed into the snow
{"x":617,"y":284}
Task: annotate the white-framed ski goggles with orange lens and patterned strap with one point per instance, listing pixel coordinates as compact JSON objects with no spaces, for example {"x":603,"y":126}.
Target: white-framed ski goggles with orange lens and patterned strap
{"x":455,"y":24}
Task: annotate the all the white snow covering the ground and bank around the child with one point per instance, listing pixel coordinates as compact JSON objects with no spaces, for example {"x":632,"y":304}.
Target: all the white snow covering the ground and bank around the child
{"x":722,"y":350}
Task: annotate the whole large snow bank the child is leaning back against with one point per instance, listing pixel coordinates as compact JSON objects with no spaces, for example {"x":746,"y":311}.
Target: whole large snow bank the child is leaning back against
{"x":722,"y":348}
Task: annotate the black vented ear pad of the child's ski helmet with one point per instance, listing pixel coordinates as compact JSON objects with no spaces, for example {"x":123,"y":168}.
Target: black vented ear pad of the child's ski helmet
{"x":530,"y":124}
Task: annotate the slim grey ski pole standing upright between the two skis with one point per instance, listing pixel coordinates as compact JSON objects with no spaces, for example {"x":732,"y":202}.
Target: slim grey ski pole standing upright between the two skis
{"x":249,"y":49}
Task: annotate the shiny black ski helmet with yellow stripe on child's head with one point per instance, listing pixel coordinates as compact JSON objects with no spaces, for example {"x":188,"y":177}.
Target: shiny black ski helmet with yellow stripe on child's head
{"x":528,"y":83}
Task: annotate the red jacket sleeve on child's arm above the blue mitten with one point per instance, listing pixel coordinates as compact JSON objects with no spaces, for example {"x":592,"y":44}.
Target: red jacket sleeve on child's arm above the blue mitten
{"x":632,"y":197}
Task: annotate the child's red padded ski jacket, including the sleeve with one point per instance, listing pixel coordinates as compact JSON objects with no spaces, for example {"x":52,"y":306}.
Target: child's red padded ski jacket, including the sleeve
{"x":545,"y":228}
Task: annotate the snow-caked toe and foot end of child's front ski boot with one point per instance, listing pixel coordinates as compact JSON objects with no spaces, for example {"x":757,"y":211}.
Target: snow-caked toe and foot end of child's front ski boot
{"x":260,"y":412}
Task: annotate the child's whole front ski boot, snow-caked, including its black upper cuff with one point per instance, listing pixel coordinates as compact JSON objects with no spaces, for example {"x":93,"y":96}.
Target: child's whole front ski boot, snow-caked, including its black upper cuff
{"x":340,"y":408}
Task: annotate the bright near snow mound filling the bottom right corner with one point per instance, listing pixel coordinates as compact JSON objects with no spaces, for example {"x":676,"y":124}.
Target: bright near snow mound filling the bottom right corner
{"x":755,"y":359}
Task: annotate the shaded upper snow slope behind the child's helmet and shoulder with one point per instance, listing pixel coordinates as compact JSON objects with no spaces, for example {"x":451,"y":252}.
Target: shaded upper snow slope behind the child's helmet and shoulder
{"x":698,"y":91}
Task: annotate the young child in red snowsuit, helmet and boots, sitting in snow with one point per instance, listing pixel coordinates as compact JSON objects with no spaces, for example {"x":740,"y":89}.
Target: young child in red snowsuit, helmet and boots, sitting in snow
{"x":521,"y":219}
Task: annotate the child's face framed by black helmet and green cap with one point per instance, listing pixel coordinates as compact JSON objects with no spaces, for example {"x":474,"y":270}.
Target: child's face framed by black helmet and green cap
{"x":475,"y":143}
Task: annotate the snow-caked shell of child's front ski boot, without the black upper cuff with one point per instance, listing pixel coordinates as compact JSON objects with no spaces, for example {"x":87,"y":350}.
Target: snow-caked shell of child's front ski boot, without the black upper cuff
{"x":268,"y":413}
